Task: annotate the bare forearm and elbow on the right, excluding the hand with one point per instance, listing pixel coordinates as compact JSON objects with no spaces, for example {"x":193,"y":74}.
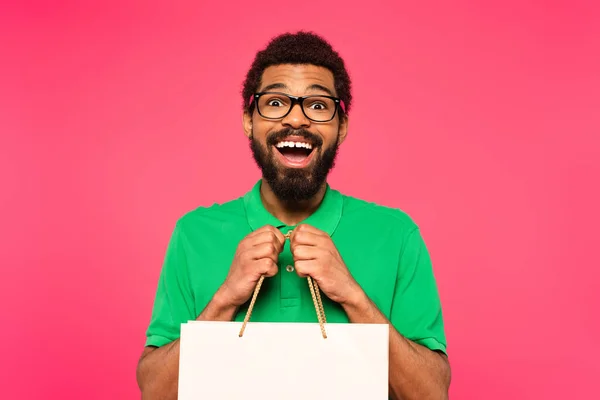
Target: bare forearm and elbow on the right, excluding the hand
{"x":415,"y":371}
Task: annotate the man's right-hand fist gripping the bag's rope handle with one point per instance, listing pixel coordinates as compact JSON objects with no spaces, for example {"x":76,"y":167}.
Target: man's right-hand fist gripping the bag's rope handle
{"x":315,"y":255}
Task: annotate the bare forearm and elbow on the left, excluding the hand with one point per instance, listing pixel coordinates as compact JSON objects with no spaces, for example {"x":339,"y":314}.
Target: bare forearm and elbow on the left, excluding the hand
{"x":158,"y":367}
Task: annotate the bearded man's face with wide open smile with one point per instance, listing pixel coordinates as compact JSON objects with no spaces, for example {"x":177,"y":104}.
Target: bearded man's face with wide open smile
{"x":294,"y":153}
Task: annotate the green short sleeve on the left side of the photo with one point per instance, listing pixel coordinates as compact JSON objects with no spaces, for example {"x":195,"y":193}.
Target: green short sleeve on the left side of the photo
{"x":173,"y":303}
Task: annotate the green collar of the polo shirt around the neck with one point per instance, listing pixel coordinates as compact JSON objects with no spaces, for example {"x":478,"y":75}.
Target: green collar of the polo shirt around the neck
{"x":325,"y":218}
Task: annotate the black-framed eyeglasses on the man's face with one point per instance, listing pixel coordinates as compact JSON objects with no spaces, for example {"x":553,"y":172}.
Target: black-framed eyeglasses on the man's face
{"x":317,"y":108}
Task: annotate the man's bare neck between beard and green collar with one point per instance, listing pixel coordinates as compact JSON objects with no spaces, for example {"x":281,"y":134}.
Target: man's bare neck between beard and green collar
{"x":290,"y":213}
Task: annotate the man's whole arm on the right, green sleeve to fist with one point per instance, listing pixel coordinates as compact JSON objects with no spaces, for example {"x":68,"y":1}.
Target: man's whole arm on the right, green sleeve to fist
{"x":416,"y":372}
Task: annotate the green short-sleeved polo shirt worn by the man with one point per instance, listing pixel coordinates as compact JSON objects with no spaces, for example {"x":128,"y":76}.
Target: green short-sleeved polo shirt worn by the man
{"x":382,"y":248}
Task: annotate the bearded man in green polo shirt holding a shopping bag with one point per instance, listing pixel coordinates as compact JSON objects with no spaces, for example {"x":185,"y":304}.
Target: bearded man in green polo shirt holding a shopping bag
{"x":369,"y":261}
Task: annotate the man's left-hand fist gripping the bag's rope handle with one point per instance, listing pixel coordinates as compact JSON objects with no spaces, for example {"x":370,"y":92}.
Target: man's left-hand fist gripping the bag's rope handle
{"x":257,"y":254}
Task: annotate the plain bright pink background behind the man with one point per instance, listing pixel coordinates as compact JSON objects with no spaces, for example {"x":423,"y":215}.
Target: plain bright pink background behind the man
{"x":481,"y":121}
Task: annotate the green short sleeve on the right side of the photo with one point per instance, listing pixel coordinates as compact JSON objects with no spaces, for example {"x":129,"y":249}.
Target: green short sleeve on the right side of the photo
{"x":416,"y":308}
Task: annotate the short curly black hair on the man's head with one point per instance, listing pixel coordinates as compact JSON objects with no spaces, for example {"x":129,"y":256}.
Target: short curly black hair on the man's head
{"x":298,"y":48}
